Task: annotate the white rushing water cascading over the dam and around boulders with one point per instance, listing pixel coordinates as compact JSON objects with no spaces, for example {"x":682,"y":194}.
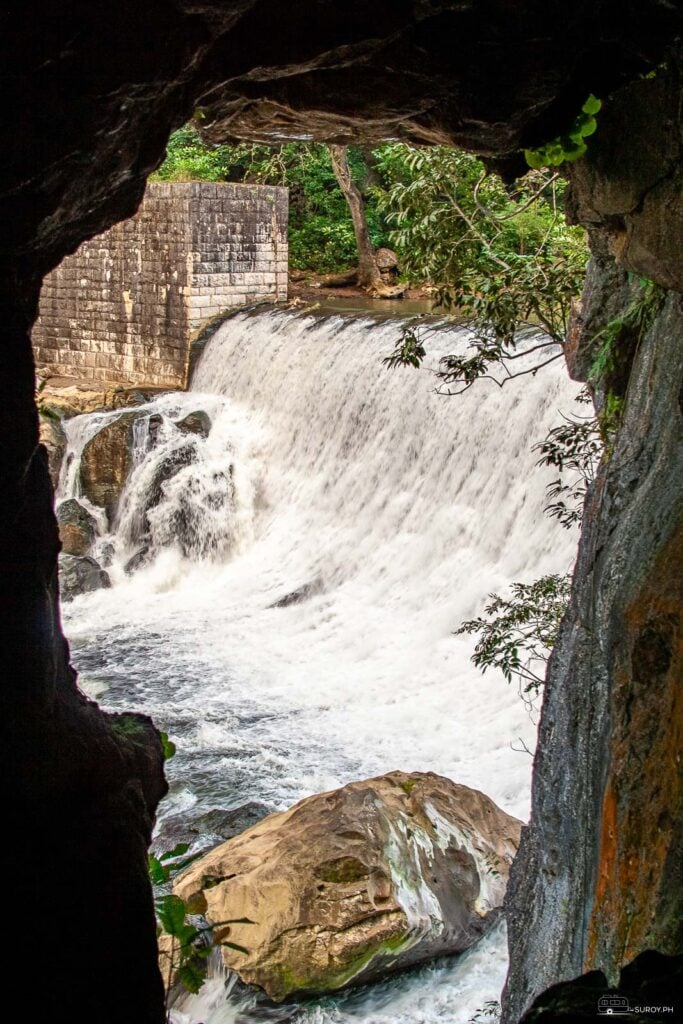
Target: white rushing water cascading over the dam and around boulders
{"x":292,"y":625}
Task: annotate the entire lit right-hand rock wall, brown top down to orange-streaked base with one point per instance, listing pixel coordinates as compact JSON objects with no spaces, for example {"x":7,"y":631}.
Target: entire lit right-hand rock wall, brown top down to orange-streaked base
{"x":599,"y":877}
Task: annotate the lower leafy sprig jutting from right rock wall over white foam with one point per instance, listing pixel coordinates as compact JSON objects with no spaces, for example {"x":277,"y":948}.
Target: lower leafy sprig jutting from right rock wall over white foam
{"x":518,"y":633}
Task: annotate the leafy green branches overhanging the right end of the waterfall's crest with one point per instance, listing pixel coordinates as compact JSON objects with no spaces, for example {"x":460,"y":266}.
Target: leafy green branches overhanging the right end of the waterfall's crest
{"x":504,"y":260}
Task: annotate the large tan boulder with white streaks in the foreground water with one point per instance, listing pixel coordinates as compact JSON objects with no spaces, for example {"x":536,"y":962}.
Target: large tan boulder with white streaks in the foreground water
{"x":350,"y":885}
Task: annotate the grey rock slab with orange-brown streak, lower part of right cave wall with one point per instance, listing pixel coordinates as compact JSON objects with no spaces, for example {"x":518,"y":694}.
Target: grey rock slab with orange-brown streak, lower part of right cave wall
{"x":597,"y":879}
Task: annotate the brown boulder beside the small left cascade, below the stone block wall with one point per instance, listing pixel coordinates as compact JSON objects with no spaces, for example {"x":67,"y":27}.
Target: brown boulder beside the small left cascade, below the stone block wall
{"x":106,"y":462}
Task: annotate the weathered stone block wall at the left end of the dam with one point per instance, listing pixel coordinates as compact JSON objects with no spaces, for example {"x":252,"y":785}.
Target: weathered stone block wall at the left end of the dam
{"x":126,"y":306}
